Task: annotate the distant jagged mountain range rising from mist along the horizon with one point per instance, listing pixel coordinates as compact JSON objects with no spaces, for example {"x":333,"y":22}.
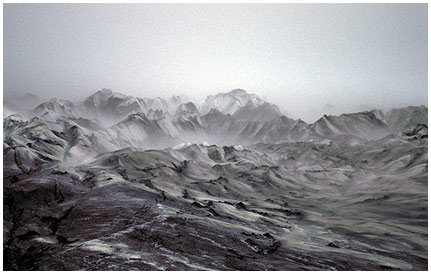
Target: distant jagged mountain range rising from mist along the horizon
{"x":232,"y":118}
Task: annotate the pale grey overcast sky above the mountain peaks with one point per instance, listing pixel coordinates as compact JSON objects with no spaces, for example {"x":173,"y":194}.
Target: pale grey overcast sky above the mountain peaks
{"x":309,"y":59}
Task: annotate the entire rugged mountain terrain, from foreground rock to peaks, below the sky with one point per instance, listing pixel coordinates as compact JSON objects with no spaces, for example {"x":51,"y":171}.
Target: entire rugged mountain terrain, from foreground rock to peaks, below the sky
{"x":115,"y":182}
